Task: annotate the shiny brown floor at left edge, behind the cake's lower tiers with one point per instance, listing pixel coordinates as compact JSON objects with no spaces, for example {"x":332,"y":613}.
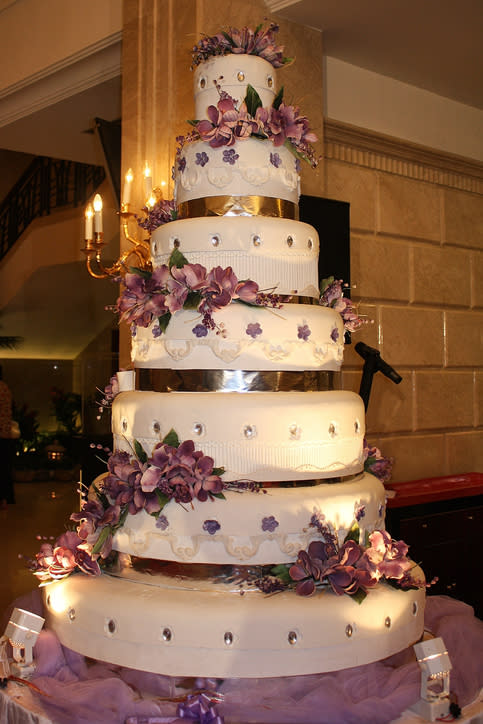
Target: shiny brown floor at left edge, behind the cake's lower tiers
{"x":42,"y":508}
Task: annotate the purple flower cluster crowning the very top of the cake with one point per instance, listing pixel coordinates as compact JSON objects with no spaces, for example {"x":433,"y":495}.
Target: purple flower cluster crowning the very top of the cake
{"x":260,"y":41}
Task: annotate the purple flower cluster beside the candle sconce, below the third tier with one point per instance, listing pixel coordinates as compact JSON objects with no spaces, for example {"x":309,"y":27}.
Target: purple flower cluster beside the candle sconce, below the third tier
{"x":148,"y":296}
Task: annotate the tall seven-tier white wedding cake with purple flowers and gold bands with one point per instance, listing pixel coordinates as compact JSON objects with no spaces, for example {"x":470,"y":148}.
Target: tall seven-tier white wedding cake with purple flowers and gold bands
{"x":250,"y":540}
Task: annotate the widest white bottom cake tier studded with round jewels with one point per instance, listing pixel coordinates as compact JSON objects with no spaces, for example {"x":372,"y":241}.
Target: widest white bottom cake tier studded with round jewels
{"x":210,"y":633}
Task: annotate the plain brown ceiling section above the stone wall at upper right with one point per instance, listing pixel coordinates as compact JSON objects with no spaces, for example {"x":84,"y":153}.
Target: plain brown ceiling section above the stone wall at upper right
{"x":433,"y":44}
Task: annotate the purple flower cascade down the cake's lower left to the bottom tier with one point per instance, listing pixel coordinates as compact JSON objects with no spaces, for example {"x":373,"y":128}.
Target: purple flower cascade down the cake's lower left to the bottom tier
{"x":173,"y":472}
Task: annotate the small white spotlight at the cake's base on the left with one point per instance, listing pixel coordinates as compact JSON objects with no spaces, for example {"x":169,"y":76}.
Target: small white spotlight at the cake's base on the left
{"x":22,"y":632}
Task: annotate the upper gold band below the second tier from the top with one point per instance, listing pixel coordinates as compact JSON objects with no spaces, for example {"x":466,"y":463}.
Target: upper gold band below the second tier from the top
{"x":238,"y":206}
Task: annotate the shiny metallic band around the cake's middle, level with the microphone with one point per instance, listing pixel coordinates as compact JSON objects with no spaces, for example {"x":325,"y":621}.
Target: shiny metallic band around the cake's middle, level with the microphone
{"x":157,"y":380}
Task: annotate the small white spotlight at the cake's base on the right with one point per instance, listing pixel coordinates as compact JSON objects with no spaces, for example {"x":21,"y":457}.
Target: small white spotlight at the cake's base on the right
{"x":435,"y":665}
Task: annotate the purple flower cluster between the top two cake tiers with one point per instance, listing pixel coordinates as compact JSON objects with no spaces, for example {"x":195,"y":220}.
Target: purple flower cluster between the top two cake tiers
{"x":227,"y":123}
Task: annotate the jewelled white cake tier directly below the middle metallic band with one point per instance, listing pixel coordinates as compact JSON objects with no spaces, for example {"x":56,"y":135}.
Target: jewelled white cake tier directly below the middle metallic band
{"x":262,"y":436}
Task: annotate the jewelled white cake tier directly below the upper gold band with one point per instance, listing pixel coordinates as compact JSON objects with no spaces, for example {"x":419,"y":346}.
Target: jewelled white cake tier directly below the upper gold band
{"x":277,"y":254}
